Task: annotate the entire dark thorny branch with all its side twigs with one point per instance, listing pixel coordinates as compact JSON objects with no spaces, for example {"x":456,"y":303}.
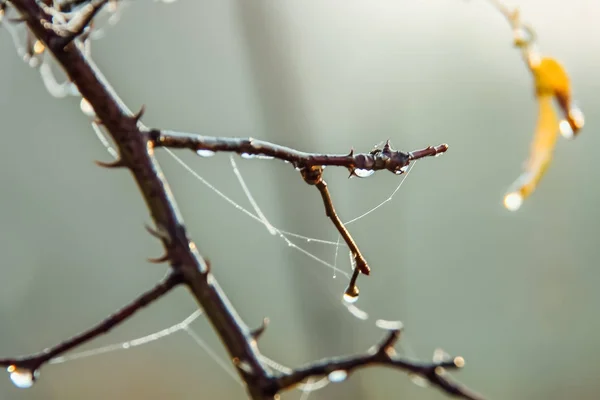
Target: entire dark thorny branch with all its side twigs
{"x":136,"y":143}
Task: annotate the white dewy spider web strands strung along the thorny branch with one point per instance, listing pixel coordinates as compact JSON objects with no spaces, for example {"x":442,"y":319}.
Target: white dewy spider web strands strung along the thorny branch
{"x":290,"y":239}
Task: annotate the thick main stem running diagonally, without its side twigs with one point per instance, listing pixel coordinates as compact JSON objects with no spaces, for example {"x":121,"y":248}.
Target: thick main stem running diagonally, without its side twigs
{"x":136,"y":152}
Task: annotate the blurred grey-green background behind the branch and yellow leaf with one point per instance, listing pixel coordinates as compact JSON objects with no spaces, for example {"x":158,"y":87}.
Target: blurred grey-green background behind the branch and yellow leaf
{"x":514,"y":293}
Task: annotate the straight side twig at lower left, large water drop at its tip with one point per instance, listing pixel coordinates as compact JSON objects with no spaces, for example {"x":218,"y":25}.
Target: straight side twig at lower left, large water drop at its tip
{"x":29,"y":365}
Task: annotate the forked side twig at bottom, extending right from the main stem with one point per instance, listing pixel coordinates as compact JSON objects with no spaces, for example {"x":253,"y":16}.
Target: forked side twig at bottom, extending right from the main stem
{"x":338,"y":369}
